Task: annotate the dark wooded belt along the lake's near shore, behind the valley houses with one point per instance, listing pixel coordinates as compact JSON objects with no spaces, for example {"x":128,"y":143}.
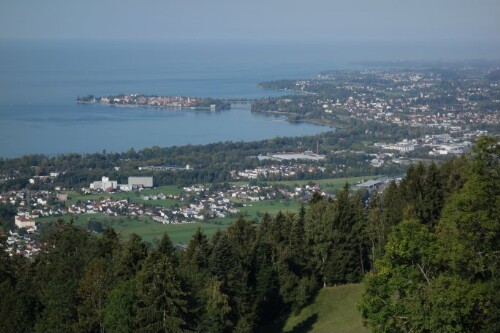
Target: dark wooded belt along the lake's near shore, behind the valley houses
{"x":209,"y":163}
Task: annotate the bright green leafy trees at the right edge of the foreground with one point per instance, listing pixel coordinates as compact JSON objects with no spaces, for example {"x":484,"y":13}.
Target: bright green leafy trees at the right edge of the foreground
{"x":440,"y":272}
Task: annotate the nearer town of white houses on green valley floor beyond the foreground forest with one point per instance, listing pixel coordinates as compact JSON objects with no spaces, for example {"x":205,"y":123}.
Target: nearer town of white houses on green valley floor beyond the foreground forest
{"x":194,"y":204}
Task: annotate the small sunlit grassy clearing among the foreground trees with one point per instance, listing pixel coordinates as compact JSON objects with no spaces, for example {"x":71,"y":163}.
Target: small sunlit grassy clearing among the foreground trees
{"x":333,"y":311}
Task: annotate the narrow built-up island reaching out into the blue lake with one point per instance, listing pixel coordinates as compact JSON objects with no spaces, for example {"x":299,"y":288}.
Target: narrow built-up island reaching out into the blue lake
{"x":175,"y":102}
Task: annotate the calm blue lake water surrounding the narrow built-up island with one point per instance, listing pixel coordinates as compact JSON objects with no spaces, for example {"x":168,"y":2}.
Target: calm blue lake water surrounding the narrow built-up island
{"x":40,"y":81}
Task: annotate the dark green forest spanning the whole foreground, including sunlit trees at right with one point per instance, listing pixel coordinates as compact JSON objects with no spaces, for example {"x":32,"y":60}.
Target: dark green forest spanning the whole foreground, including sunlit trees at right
{"x":427,"y":250}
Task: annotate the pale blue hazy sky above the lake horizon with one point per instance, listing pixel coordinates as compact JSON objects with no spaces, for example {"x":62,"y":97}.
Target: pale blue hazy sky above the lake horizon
{"x":286,"y":20}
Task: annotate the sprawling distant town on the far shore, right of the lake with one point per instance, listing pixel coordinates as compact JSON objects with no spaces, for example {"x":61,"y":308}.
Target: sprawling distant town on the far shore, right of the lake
{"x":456,"y":97}
